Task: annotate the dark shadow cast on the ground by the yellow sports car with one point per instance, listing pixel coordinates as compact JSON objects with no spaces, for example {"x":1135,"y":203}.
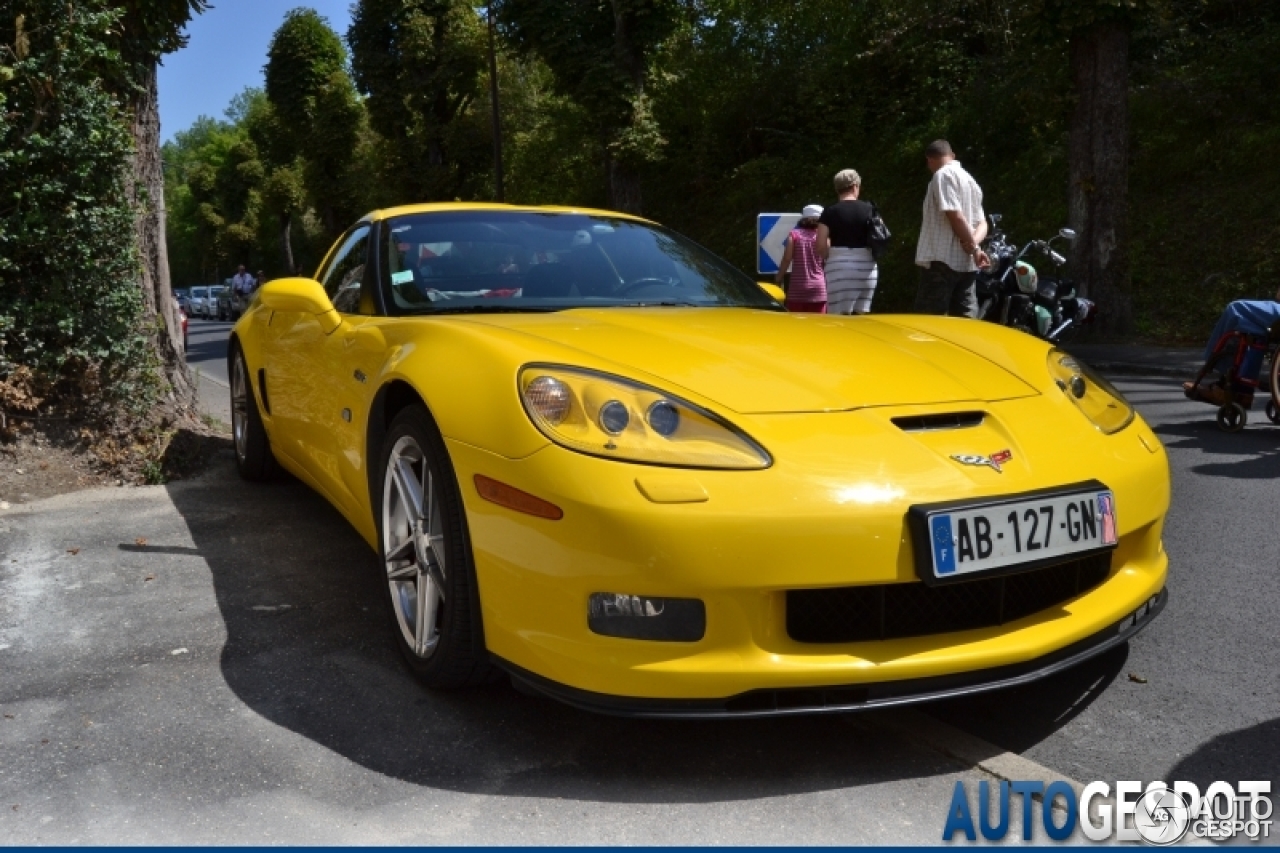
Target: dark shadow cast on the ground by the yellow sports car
{"x":309,"y":647}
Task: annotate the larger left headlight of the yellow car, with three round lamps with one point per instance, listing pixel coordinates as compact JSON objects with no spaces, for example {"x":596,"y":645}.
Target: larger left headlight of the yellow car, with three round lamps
{"x":606,"y":416}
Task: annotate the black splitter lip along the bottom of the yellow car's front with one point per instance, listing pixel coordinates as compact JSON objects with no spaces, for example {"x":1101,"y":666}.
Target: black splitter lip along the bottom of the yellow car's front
{"x":847,"y":699}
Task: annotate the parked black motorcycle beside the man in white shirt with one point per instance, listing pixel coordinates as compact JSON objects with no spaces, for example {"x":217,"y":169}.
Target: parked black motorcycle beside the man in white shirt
{"x":1012,"y":293}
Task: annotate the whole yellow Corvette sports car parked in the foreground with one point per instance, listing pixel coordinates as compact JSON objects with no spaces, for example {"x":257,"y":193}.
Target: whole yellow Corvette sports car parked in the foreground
{"x":595,"y":455}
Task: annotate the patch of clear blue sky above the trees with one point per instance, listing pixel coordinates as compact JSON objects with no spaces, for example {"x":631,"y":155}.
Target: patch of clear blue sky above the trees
{"x":226,"y":53}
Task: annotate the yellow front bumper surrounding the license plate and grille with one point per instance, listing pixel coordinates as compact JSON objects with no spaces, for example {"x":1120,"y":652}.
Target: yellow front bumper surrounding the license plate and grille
{"x":816,"y":521}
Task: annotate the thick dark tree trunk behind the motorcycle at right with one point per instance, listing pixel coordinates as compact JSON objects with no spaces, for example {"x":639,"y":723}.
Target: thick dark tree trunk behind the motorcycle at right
{"x":1099,"y":158}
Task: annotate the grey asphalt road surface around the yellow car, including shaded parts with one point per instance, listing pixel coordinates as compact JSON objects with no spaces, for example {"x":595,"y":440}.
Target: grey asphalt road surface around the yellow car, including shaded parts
{"x":213,"y":665}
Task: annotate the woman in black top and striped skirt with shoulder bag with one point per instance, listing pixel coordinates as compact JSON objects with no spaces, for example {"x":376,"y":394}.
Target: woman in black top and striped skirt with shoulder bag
{"x":843,"y":230}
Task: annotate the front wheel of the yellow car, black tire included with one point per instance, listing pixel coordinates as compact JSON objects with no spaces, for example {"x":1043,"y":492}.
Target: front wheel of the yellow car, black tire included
{"x":452,"y":654}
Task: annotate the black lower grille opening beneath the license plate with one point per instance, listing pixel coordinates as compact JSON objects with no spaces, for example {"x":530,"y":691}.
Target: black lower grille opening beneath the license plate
{"x":890,"y":612}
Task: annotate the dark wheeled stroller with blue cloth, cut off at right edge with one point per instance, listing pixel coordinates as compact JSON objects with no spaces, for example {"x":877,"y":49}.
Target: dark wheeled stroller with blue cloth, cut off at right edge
{"x":1237,"y":359}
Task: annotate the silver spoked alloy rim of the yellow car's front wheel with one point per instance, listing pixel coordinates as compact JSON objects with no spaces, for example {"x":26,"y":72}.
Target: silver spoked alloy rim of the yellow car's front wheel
{"x":414,"y":546}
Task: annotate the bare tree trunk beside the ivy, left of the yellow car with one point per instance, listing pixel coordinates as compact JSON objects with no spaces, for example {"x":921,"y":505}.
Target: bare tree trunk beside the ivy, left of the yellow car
{"x":148,"y":188}
